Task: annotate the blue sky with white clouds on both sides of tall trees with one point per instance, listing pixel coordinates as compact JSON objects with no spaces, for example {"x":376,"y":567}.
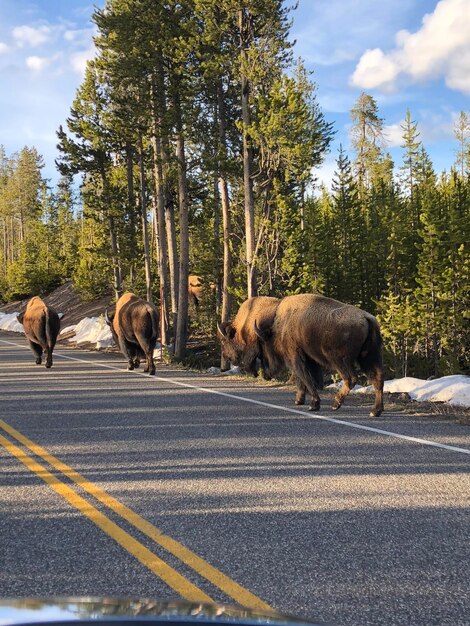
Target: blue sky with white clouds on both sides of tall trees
{"x":406,"y":53}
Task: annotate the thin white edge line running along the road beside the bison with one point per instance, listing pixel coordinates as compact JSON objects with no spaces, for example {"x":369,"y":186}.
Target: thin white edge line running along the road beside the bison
{"x":304,"y":414}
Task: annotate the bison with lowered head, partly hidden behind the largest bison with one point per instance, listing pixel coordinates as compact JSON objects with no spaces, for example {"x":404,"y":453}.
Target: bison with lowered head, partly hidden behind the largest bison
{"x":240,"y":343}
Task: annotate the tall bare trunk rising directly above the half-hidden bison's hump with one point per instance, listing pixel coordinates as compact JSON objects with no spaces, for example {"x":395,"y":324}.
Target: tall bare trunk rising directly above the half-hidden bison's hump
{"x":245,"y":36}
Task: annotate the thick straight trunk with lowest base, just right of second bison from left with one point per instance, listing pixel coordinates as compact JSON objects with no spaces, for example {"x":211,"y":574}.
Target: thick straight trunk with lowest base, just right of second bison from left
{"x":182,"y":319}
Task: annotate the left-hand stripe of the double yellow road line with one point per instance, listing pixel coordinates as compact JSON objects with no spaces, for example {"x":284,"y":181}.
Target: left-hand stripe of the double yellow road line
{"x":170,"y":576}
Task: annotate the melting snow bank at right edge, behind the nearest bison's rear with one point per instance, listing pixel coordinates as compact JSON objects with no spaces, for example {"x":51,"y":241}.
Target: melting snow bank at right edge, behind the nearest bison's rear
{"x":454,"y":390}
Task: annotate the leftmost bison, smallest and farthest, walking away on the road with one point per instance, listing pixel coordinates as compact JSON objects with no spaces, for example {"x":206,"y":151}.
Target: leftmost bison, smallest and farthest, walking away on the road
{"x":41,"y":326}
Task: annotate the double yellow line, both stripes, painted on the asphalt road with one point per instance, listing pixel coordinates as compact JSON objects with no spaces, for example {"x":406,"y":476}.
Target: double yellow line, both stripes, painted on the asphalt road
{"x":169,"y":575}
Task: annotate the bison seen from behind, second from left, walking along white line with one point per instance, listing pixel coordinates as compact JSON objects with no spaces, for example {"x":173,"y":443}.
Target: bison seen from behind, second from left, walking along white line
{"x":134,"y":325}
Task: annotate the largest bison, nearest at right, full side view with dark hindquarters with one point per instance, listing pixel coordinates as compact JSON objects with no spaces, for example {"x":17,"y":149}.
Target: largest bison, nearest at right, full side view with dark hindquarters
{"x":310,"y":332}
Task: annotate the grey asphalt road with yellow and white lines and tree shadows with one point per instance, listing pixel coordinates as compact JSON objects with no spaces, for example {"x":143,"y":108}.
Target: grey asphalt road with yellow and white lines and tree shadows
{"x":115,"y":483}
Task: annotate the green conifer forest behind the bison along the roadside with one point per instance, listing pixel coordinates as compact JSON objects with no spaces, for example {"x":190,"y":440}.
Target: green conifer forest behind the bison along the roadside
{"x":191,"y":148}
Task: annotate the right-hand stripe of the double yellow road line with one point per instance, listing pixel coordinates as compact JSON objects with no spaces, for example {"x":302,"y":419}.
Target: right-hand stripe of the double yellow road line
{"x":241,"y":595}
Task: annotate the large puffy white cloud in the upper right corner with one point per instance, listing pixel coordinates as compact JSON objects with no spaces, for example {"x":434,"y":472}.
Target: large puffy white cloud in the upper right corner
{"x":441,"y":47}
